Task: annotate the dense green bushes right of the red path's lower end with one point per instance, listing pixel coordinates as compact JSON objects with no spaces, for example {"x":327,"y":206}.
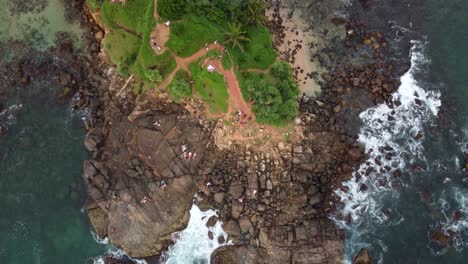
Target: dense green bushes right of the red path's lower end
{"x":274,"y":95}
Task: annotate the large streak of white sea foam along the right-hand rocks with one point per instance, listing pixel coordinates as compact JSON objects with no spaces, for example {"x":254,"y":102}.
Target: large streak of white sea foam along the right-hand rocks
{"x":389,"y":130}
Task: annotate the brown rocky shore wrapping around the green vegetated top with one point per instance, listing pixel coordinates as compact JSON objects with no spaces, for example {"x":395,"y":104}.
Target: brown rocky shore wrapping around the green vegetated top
{"x":150,"y":158}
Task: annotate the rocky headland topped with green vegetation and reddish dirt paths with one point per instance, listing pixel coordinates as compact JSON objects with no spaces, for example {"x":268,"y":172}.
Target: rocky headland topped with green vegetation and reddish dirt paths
{"x":271,"y":184}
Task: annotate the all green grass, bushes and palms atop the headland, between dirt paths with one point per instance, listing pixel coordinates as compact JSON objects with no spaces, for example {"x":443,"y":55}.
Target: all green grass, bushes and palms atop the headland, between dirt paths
{"x":237,"y":24}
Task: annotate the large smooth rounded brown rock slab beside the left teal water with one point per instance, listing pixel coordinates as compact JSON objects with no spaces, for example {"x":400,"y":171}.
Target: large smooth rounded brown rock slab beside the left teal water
{"x":141,"y":179}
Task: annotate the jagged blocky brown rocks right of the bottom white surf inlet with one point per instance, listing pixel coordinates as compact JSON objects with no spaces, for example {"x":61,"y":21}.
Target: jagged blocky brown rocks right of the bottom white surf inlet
{"x":273,"y":199}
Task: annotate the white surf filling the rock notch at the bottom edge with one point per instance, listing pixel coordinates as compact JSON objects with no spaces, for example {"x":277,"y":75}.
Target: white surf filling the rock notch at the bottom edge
{"x":193,"y":245}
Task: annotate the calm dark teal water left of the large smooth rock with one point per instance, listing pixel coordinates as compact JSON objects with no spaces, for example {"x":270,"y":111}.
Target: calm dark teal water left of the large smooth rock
{"x":41,"y":189}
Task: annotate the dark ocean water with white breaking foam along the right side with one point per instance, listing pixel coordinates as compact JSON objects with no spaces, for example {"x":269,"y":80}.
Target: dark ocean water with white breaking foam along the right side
{"x":395,"y":217}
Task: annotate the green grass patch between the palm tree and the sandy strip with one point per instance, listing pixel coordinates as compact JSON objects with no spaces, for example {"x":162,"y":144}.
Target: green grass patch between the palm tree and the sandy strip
{"x":259,"y":52}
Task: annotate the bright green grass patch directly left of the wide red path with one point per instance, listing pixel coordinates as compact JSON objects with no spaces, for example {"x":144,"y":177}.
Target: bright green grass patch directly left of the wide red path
{"x":211,"y":87}
